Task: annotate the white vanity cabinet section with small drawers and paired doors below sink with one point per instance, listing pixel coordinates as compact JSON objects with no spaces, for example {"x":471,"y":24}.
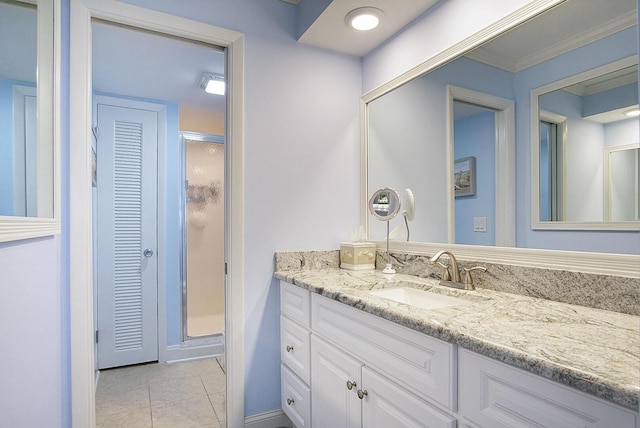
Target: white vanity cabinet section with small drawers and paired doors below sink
{"x":361,"y":370}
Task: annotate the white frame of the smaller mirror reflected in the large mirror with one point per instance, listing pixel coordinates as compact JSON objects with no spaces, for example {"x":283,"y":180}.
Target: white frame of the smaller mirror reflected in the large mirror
{"x":536,"y":223}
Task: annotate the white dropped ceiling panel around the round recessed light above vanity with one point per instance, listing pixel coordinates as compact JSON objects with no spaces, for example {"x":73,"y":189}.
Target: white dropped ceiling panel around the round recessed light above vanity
{"x":330,"y":31}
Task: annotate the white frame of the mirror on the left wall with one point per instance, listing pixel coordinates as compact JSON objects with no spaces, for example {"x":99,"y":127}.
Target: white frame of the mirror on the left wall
{"x":13,"y":228}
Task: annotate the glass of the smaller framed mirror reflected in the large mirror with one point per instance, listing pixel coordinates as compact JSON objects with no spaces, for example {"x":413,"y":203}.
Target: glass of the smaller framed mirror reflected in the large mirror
{"x":586,"y":135}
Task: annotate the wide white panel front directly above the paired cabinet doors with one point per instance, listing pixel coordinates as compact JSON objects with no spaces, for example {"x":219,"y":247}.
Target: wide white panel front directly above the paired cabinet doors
{"x":423,"y":365}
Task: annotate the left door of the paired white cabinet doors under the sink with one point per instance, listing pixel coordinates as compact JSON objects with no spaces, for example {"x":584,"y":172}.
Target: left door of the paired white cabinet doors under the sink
{"x":332,"y":403}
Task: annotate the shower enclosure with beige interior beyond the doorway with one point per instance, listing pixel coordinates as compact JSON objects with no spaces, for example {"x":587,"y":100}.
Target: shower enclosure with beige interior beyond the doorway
{"x":203,"y":237}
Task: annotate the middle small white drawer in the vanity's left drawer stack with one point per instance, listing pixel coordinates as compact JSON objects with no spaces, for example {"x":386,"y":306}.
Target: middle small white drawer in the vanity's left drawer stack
{"x":294,"y":347}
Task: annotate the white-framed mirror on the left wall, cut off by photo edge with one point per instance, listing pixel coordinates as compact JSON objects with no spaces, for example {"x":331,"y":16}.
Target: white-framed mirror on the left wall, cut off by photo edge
{"x":29,"y":184}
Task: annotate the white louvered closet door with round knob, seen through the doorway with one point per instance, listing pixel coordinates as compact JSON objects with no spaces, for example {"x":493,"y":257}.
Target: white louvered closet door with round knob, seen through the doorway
{"x":127,"y":233}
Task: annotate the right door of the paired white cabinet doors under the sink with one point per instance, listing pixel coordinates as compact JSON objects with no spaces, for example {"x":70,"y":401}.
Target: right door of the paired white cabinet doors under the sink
{"x":388,"y":405}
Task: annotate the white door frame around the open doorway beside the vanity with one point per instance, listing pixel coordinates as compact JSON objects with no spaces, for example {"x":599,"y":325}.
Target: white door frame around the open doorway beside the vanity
{"x":80,"y":227}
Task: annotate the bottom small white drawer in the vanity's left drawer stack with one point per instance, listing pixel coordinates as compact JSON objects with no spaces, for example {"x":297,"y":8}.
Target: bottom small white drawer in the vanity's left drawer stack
{"x":296,"y":398}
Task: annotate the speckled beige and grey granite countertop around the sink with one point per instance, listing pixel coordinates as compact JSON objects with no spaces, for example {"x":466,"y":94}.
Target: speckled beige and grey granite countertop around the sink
{"x":592,"y":350}
